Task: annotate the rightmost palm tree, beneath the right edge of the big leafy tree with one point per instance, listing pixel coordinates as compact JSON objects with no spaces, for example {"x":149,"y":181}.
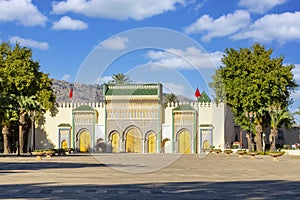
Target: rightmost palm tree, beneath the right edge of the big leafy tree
{"x":278,"y":118}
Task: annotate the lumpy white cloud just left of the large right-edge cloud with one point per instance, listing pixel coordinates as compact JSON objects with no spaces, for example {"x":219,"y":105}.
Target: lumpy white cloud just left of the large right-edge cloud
{"x":220,"y":27}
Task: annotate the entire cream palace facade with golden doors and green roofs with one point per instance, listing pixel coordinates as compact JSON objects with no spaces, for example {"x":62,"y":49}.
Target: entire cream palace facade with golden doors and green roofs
{"x":132,"y":118}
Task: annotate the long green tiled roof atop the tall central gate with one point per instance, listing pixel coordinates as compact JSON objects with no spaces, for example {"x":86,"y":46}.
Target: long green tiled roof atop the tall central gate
{"x":132,"y":89}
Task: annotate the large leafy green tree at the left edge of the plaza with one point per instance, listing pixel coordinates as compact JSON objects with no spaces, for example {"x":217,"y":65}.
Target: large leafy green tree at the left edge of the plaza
{"x":29,"y":88}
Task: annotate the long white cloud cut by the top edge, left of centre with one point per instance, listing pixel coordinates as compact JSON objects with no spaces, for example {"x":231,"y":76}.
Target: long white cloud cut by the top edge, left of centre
{"x":116,"y":9}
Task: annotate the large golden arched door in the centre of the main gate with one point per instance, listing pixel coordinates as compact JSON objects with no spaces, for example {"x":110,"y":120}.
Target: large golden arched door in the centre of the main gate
{"x":133,"y":141}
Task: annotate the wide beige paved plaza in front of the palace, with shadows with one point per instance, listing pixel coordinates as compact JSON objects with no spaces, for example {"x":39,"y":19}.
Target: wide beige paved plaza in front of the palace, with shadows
{"x":149,"y":176}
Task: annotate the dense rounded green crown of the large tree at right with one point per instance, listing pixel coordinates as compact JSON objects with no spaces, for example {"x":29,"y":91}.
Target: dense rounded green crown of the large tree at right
{"x":254,"y":81}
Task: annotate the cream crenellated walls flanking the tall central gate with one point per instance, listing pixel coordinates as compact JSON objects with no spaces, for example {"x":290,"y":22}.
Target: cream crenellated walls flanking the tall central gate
{"x":209,"y":117}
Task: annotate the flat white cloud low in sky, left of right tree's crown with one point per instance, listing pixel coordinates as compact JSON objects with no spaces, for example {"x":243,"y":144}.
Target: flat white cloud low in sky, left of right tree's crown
{"x":190,"y":58}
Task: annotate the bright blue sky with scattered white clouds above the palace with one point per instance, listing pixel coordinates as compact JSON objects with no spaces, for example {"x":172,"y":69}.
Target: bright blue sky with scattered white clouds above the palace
{"x":67,"y":36}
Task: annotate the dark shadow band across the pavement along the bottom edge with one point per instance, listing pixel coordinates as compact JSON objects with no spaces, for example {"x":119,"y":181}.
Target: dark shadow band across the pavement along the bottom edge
{"x":276,"y":189}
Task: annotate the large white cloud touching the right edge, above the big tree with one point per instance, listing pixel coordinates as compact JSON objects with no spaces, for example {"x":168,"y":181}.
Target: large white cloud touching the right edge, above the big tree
{"x":274,"y":27}
